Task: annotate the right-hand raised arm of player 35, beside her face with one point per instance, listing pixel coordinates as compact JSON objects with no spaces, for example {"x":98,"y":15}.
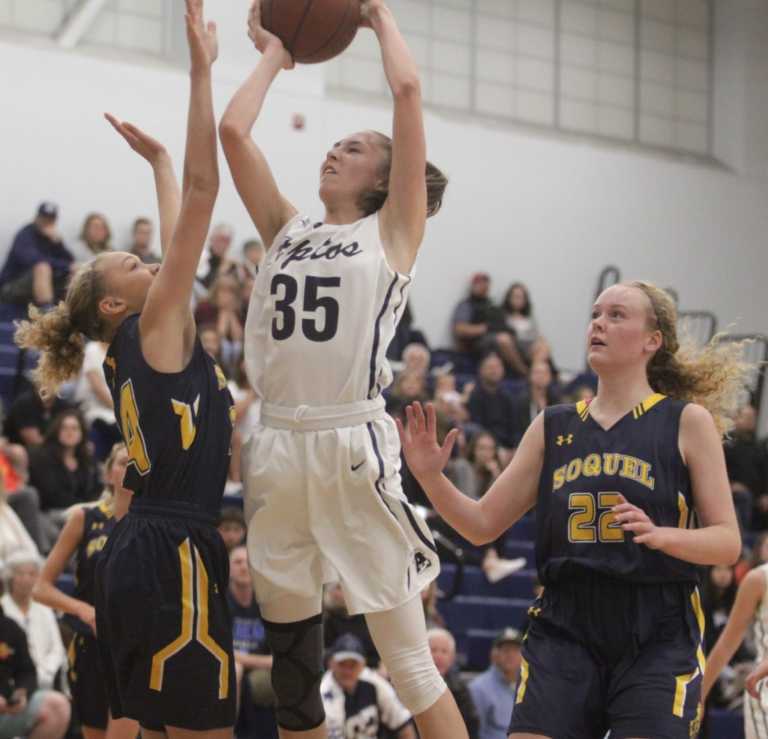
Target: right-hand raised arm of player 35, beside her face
{"x":404,"y":213}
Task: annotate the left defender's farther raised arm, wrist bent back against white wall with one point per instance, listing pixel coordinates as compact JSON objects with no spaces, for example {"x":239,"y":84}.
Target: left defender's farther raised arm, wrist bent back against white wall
{"x":168,"y":194}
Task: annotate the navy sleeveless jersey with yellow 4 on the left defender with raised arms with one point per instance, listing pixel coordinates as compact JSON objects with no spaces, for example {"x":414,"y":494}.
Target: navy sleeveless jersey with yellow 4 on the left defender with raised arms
{"x":177,"y":426}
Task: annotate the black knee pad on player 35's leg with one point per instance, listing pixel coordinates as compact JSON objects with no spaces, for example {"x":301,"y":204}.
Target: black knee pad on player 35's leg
{"x":297,"y":650}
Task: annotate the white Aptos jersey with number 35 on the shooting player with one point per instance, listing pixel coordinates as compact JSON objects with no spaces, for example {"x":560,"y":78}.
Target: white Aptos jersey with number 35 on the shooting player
{"x":324,"y":308}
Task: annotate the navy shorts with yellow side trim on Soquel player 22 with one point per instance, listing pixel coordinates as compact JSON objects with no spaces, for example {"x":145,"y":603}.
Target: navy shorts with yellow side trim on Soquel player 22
{"x":603,"y":654}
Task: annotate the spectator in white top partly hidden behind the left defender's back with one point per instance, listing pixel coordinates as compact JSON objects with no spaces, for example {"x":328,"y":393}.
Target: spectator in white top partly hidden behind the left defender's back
{"x":95,"y":400}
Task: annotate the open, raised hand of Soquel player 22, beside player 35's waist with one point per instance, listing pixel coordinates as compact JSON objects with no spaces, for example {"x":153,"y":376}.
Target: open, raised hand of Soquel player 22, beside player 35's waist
{"x":423,"y":454}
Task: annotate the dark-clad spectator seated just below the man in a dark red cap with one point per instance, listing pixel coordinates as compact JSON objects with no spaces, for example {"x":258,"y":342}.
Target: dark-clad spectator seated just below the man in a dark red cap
{"x":491,"y":406}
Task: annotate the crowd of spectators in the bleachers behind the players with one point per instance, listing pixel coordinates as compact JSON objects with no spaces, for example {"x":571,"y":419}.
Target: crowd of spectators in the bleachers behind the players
{"x":497,"y":375}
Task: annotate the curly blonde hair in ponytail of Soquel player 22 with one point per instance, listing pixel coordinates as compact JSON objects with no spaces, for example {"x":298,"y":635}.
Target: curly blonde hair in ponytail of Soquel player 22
{"x":714,"y":376}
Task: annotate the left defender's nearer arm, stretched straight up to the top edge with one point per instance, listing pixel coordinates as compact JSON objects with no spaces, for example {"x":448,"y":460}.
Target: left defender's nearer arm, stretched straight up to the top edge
{"x":166,"y":323}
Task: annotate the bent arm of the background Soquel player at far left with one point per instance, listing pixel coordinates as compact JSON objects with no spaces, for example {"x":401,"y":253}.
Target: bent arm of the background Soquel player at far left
{"x":45,"y":590}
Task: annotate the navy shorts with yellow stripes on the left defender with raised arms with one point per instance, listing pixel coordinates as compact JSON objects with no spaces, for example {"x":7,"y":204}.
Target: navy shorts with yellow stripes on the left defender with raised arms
{"x":163,"y":623}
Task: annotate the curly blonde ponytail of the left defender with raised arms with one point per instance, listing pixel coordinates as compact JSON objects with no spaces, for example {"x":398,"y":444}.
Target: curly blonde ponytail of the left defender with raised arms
{"x":60,"y":333}
